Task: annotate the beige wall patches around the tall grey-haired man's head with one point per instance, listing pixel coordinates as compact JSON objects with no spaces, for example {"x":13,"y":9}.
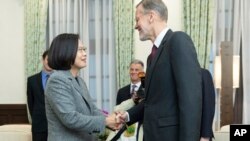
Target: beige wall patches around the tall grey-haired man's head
{"x":142,"y":49}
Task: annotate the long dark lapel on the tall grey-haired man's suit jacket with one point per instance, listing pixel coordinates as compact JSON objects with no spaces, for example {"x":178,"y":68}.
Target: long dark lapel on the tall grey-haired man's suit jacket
{"x":151,"y":66}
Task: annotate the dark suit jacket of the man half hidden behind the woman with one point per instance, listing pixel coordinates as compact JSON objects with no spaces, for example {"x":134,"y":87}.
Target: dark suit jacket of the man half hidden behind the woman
{"x":36,"y":105}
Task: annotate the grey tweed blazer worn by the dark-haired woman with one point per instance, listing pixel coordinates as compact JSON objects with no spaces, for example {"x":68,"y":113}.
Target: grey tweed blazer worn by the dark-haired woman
{"x":71,"y":114}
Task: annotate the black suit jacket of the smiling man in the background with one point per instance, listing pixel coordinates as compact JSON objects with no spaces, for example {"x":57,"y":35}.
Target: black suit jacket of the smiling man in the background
{"x":124,"y":94}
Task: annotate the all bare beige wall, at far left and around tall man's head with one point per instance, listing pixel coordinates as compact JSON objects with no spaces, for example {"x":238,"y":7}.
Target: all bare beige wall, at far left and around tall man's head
{"x":12,"y":83}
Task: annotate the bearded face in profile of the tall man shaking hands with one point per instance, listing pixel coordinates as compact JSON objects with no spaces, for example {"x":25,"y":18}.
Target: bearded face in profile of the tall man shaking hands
{"x":142,"y":23}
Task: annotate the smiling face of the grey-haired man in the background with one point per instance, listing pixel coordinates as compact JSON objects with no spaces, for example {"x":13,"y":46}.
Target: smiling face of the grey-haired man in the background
{"x":133,"y":71}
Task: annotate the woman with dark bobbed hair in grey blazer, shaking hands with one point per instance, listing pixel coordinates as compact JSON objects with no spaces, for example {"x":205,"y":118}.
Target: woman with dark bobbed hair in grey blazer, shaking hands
{"x":71,"y":113}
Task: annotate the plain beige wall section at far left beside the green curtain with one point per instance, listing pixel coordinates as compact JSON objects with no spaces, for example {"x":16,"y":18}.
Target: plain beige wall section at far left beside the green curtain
{"x":12,"y":80}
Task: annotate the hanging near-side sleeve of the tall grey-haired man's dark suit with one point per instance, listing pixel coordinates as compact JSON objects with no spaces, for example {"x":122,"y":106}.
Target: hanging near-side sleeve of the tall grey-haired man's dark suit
{"x":187,"y":76}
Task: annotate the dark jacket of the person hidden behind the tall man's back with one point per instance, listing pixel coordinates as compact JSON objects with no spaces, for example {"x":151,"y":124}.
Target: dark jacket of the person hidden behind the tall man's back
{"x":208,"y":104}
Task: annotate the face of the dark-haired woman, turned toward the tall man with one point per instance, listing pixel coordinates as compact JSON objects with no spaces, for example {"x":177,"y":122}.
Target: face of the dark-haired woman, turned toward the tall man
{"x":81,"y":56}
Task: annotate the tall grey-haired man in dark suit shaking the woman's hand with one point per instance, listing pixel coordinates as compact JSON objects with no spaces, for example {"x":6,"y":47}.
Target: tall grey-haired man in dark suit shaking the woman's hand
{"x":172,"y":107}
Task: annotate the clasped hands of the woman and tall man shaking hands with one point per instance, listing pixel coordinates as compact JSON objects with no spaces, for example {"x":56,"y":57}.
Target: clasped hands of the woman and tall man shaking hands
{"x":116,"y":120}
